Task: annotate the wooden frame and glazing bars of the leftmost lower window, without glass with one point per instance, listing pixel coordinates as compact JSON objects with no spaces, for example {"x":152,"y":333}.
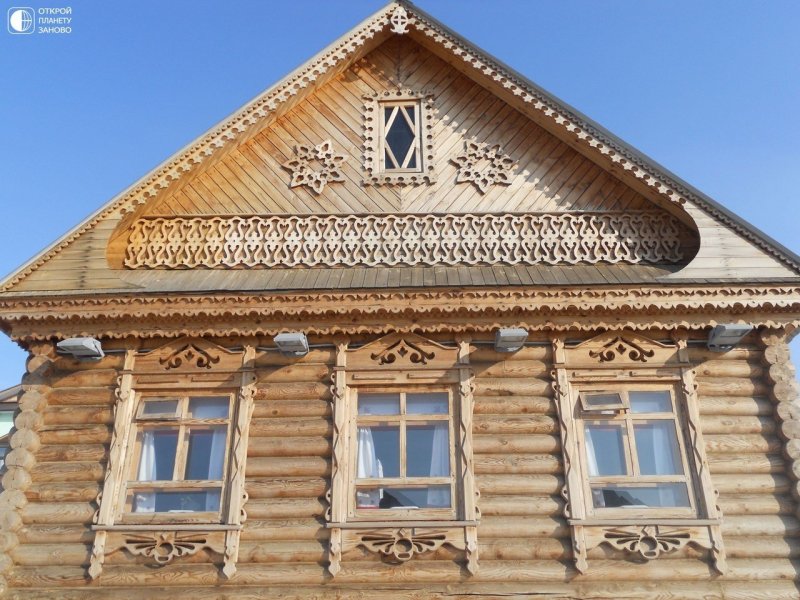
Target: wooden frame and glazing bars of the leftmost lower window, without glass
{"x":141,"y":423}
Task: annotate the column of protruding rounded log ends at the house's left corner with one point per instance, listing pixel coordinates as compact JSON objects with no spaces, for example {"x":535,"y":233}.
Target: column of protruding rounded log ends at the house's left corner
{"x":20,"y":461}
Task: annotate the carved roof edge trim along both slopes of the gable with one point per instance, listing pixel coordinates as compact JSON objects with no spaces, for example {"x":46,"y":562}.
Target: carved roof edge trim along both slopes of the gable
{"x":568,"y":118}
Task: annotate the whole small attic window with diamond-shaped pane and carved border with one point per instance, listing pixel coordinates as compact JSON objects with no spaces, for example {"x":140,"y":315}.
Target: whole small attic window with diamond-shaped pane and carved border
{"x":398,"y":138}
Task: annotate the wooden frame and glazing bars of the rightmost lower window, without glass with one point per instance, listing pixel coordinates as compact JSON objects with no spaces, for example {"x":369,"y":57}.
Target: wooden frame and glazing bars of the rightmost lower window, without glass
{"x":634,"y":478}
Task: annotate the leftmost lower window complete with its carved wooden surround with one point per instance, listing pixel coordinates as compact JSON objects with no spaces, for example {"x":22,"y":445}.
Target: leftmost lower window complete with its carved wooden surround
{"x":174,"y":483}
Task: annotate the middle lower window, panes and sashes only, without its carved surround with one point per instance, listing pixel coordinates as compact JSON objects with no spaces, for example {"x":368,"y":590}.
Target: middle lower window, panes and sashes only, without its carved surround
{"x":404,"y":454}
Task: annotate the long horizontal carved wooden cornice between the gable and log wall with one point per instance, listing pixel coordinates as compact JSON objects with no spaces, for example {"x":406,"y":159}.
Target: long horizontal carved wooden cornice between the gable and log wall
{"x":378,"y":312}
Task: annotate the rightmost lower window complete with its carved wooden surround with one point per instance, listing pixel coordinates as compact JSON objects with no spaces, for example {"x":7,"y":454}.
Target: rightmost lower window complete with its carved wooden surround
{"x":636,"y":475}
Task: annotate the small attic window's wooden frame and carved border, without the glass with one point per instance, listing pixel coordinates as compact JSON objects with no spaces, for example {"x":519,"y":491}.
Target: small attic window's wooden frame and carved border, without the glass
{"x":375,"y":171}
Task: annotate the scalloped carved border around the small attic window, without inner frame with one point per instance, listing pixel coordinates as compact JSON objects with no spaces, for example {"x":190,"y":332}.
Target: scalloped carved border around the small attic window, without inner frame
{"x":373,"y":175}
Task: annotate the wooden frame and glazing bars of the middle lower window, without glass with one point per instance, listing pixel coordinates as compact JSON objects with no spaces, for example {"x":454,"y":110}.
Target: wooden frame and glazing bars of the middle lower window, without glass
{"x":356,"y":514}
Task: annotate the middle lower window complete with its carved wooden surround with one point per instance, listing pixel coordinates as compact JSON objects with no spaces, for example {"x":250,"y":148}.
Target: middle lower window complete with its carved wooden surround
{"x":402,"y":480}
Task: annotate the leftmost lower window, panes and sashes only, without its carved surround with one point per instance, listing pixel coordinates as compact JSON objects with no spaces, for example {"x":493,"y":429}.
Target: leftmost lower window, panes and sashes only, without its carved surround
{"x":179,"y":461}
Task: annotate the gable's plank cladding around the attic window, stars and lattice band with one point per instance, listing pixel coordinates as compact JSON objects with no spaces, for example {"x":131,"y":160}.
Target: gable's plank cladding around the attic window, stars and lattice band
{"x":552,"y":172}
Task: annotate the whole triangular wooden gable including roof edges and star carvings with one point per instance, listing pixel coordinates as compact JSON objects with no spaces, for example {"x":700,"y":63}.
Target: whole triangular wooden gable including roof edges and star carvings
{"x":303,"y":148}
